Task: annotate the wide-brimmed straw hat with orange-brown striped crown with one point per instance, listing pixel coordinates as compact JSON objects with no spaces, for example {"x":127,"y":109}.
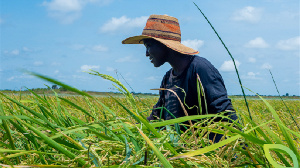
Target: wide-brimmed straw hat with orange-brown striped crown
{"x":164,"y":29}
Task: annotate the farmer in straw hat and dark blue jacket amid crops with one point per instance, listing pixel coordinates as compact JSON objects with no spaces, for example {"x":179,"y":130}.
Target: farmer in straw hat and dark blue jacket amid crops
{"x":162,"y":39}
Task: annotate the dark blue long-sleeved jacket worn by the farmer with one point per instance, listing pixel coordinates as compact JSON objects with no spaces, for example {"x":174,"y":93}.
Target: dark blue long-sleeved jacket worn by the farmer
{"x":185,"y":86}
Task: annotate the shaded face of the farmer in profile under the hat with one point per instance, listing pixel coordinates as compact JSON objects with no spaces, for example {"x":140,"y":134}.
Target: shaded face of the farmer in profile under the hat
{"x":156,"y":51}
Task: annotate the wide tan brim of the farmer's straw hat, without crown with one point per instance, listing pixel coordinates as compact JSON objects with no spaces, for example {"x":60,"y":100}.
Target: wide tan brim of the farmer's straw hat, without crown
{"x":174,"y":45}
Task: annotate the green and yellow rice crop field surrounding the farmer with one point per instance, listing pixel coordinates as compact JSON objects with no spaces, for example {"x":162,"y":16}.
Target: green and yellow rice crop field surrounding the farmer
{"x":90,"y":131}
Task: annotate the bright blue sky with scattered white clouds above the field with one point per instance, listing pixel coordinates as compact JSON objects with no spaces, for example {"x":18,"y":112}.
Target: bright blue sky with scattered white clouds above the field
{"x":63,"y":38}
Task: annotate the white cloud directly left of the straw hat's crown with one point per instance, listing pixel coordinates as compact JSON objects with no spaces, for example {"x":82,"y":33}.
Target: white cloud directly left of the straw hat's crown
{"x":123,"y":23}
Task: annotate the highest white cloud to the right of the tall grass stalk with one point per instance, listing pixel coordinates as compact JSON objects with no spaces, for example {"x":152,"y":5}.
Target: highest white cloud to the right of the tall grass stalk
{"x":249,"y":14}
